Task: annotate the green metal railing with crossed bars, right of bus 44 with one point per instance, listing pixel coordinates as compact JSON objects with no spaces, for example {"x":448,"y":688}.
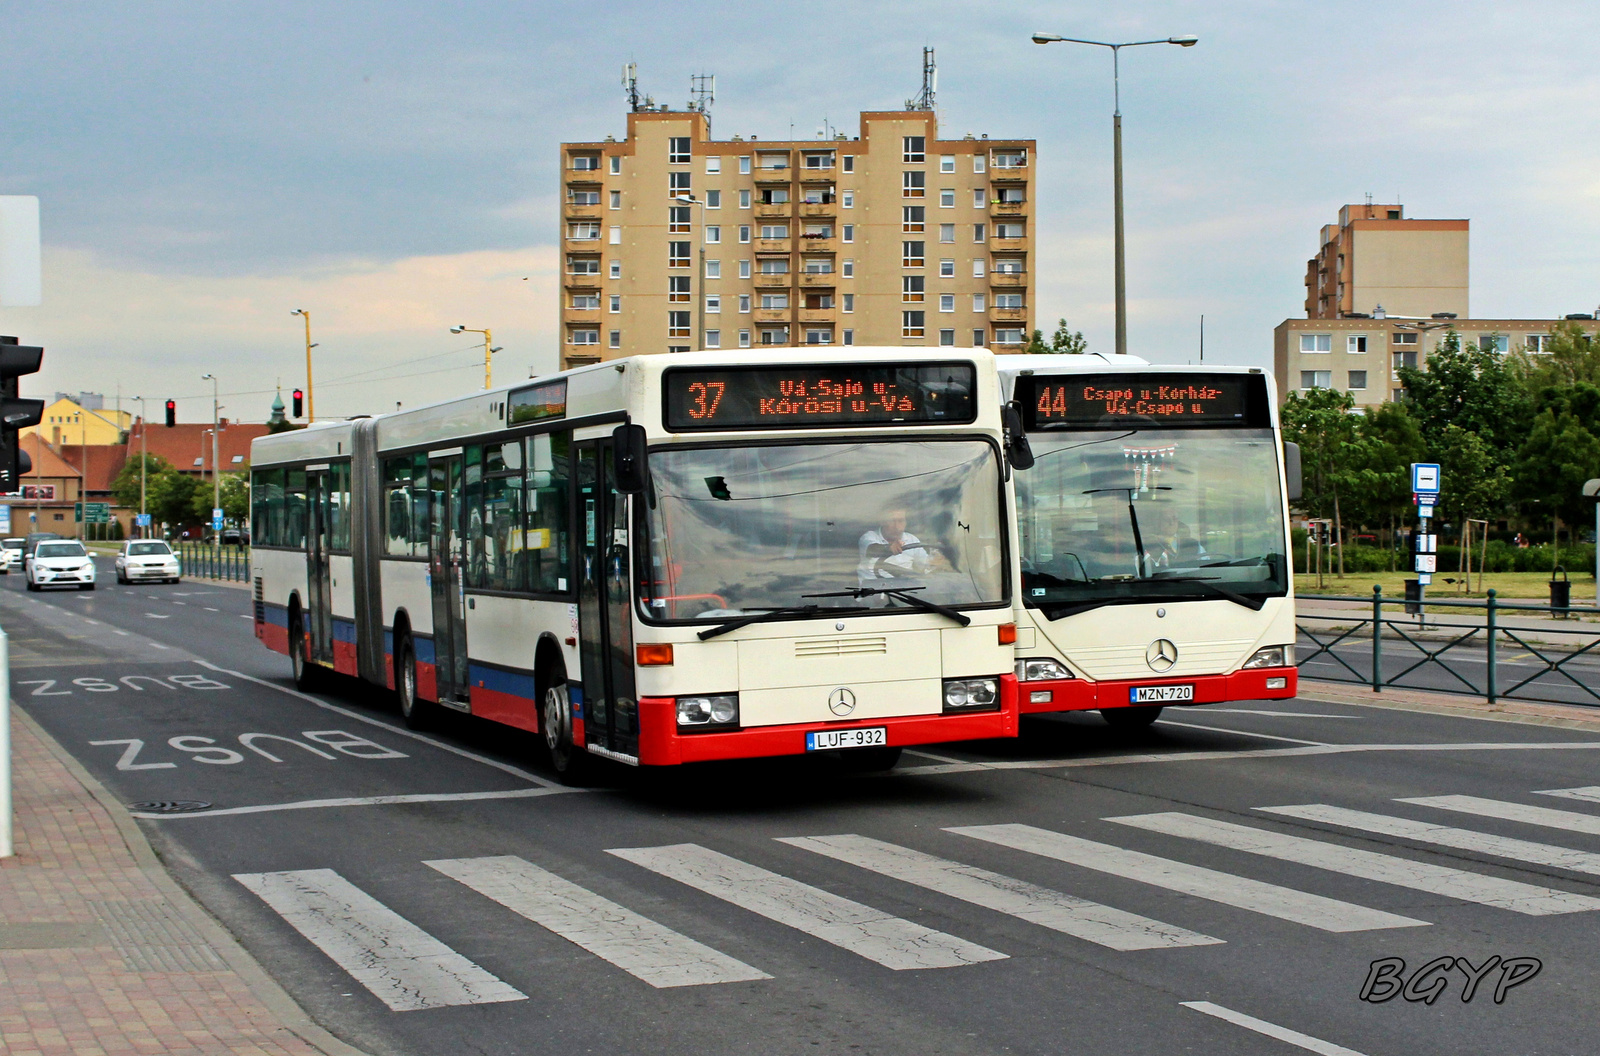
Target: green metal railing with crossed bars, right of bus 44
{"x":1490,"y":649}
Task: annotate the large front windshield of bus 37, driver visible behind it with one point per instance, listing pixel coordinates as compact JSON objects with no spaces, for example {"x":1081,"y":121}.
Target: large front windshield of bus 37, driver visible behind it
{"x":759,"y":527}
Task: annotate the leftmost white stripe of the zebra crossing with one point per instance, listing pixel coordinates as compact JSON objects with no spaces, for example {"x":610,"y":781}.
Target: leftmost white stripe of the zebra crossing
{"x":402,"y":966}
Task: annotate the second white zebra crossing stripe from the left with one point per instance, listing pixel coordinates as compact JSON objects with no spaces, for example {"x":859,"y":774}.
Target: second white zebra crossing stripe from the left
{"x":636,"y":945}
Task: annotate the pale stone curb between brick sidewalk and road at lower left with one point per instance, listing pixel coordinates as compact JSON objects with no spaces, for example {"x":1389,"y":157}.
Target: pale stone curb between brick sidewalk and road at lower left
{"x":239,"y":961}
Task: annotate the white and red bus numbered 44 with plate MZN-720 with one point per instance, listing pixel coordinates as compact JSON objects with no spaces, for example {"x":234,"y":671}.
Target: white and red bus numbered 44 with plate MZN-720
{"x":1153,"y":537}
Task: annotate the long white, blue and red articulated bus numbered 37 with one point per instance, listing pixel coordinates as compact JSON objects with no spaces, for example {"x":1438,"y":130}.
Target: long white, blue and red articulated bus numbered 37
{"x":663,"y":559}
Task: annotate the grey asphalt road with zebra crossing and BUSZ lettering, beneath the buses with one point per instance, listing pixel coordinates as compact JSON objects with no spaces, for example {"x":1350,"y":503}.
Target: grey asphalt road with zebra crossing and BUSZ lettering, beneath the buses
{"x":1078,"y":890}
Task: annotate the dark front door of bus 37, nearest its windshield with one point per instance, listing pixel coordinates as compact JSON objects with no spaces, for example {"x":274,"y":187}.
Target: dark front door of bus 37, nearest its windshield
{"x":606,"y":623}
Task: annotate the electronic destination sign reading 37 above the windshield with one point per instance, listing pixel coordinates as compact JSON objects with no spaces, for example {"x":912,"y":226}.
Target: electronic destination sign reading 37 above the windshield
{"x":818,"y":398}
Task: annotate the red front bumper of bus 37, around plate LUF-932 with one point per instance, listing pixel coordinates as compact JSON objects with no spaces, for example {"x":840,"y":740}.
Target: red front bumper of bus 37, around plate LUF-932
{"x":662,"y":745}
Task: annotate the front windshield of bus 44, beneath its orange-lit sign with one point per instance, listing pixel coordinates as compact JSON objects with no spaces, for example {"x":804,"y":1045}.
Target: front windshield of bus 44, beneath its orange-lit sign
{"x":1151,"y":514}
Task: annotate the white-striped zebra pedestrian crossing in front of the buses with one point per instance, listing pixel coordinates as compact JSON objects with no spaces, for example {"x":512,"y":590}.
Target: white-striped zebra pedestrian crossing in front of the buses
{"x":719,"y":898}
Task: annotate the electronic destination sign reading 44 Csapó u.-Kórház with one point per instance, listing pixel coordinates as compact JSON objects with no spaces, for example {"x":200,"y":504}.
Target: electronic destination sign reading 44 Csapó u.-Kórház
{"x":1118,"y":401}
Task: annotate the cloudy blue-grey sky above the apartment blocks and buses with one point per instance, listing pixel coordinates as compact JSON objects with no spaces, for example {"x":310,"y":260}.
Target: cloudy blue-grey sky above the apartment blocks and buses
{"x":391,"y":167}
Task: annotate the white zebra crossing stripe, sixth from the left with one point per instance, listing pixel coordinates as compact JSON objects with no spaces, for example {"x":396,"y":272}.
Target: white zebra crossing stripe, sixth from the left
{"x":1458,"y":884}
